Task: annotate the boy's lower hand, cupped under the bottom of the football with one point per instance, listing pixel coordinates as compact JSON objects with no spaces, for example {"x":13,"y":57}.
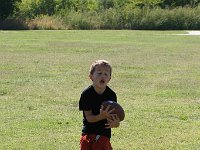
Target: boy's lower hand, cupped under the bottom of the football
{"x":113,"y":121}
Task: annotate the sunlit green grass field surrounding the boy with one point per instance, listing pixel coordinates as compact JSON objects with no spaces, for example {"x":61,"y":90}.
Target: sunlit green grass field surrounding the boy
{"x":156,"y":76}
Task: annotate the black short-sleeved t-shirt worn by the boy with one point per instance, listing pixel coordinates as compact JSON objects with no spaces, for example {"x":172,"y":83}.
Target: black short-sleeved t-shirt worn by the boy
{"x":91,"y":100}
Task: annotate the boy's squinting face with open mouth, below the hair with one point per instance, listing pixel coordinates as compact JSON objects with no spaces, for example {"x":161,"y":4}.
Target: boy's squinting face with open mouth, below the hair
{"x":100,"y":77}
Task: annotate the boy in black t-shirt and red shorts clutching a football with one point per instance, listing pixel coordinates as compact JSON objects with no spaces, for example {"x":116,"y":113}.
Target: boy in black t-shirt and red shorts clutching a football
{"x":97,"y":120}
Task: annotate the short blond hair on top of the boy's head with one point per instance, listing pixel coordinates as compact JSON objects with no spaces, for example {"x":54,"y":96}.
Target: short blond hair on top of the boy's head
{"x":100,"y":63}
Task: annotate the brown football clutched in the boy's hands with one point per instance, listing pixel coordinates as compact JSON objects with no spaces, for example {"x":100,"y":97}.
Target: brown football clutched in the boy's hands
{"x":118,"y":109}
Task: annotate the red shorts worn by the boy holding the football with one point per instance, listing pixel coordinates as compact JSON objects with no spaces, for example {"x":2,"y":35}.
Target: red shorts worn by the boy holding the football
{"x":92,"y":142}
